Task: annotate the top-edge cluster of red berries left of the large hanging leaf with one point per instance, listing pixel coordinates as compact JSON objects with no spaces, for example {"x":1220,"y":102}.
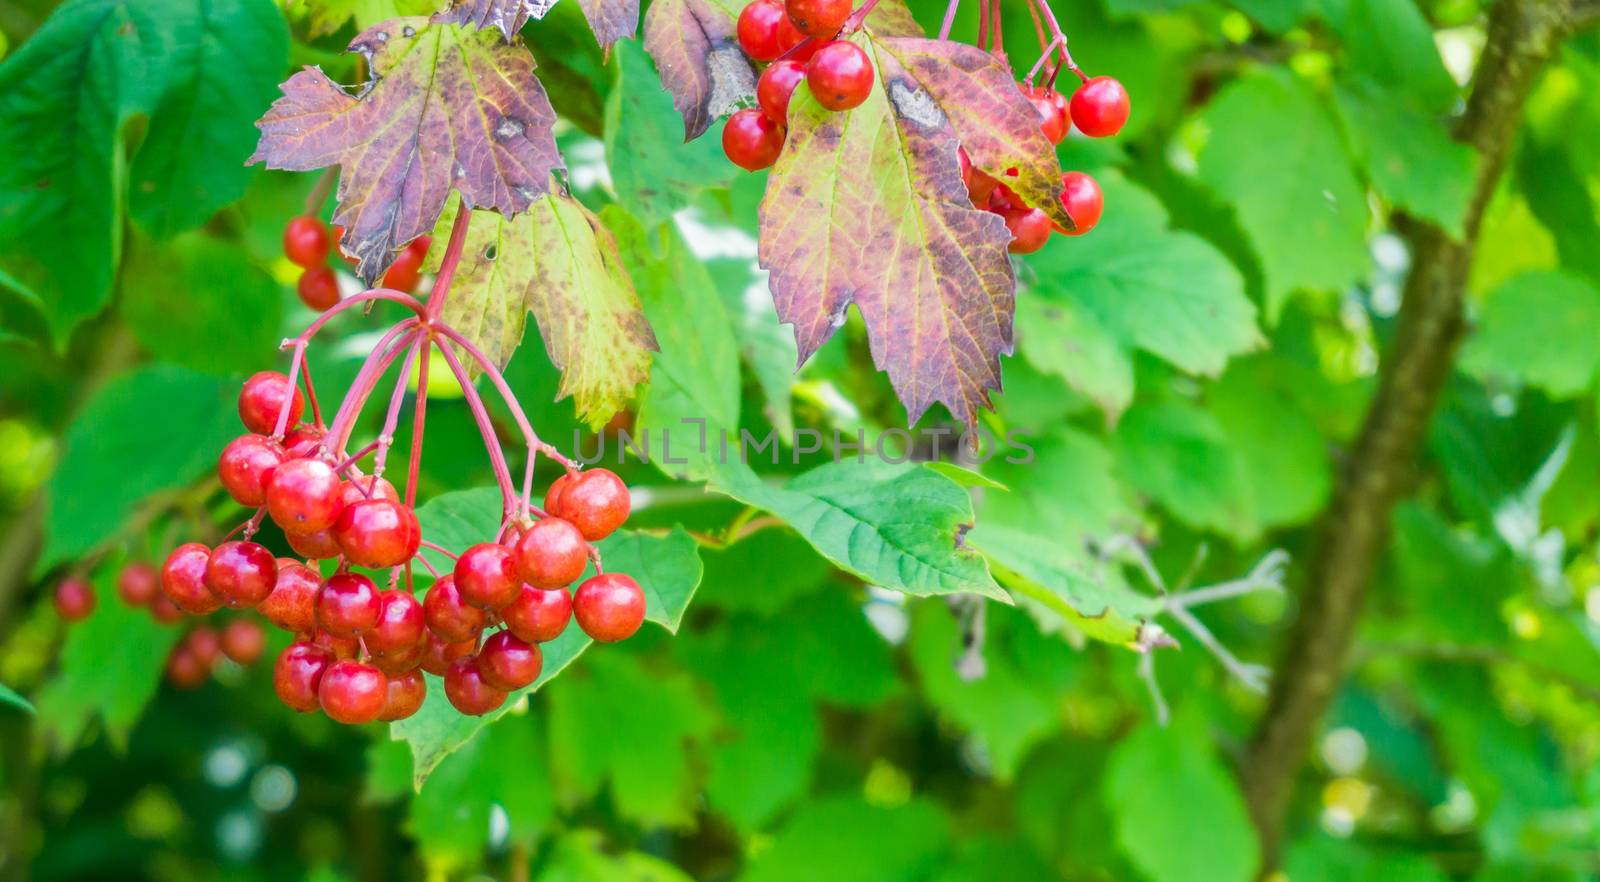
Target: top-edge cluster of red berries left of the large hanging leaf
{"x":799,"y":39}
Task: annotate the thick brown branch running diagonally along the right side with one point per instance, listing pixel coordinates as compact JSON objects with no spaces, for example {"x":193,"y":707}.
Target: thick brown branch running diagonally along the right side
{"x":1522,"y":36}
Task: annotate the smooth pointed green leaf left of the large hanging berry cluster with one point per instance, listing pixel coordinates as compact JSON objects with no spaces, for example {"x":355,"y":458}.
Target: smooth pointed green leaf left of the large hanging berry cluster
{"x":113,"y":462}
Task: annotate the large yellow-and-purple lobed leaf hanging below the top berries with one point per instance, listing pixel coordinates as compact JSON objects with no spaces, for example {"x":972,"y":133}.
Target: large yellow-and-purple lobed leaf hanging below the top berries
{"x":868,"y":207}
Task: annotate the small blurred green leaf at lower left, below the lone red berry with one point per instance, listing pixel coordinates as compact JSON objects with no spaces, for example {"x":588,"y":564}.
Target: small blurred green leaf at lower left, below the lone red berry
{"x":110,"y":670}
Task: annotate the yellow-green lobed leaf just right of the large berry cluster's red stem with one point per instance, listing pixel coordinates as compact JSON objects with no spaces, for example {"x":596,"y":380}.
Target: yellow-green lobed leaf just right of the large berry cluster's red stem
{"x":562,"y":263}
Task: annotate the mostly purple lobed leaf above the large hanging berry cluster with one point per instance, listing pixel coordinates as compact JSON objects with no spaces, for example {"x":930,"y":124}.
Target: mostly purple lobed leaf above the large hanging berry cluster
{"x":447,"y":108}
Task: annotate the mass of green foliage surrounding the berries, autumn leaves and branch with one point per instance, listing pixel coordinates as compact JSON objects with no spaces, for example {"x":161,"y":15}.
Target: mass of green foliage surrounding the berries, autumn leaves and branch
{"x":1190,"y":377}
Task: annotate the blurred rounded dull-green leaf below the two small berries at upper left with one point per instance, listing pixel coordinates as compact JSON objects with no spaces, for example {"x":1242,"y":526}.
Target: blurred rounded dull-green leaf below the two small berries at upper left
{"x":202,"y":303}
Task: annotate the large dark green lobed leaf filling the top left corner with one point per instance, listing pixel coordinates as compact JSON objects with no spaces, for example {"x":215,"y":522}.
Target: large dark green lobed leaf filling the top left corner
{"x":196,"y":68}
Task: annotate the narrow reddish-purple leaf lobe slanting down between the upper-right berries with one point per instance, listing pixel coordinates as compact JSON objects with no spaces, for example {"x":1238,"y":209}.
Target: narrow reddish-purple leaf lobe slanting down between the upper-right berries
{"x":996,"y":124}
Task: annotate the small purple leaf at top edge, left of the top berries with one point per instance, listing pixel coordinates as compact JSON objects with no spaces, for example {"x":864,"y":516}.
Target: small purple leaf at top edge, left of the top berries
{"x":697,"y":50}
